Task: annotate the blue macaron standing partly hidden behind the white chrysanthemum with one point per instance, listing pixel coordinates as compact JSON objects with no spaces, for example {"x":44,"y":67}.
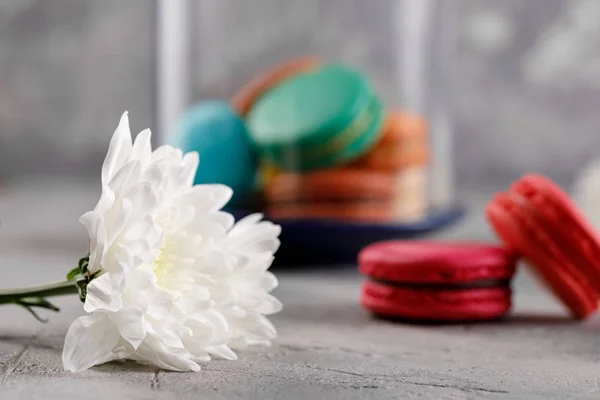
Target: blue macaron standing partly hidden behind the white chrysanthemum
{"x":227,"y":156}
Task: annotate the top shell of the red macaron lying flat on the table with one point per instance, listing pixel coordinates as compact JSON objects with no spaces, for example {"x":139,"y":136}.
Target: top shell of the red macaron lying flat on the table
{"x":436,"y":262}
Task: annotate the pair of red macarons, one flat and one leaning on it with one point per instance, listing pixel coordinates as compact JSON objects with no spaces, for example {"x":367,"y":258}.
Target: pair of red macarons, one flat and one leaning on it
{"x":441,"y":282}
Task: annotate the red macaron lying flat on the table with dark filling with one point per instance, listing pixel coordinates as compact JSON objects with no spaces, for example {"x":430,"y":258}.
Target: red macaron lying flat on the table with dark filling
{"x":437,"y":281}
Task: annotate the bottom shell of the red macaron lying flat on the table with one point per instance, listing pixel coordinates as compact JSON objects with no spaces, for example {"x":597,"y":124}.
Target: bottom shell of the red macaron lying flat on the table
{"x":440,"y":305}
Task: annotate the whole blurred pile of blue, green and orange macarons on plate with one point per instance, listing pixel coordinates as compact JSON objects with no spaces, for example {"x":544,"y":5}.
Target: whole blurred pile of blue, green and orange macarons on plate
{"x":308,"y":139}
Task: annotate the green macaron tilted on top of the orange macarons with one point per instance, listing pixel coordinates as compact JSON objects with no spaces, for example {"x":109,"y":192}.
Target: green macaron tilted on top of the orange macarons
{"x":321,"y":119}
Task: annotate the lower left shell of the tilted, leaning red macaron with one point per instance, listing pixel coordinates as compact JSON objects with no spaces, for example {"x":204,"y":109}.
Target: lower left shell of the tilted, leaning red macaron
{"x":513,"y":222}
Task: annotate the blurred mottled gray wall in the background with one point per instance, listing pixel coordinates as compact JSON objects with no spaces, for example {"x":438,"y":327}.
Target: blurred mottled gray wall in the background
{"x":525,"y":84}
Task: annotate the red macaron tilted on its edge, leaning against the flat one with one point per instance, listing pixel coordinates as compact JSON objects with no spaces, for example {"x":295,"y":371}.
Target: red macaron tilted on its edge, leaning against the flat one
{"x":538,"y":220}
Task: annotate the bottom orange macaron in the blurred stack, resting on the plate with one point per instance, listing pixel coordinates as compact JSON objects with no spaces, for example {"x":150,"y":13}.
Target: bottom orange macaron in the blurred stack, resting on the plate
{"x":346,"y":193}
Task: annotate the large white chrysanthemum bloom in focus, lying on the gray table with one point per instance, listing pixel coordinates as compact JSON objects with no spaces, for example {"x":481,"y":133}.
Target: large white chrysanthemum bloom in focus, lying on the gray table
{"x":172,"y":280}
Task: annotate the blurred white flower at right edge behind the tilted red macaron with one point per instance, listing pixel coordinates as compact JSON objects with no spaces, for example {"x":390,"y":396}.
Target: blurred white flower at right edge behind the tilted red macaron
{"x":586,"y":192}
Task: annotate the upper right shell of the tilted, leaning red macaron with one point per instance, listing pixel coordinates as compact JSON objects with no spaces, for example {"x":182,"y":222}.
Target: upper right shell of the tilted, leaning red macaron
{"x":568,"y":225}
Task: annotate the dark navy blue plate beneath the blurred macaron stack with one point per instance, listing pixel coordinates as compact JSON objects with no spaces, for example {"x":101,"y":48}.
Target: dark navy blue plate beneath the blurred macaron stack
{"x":308,"y":242}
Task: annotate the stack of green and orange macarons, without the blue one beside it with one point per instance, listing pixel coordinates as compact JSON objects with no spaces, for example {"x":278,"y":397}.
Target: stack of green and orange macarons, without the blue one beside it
{"x":328,"y":148}
